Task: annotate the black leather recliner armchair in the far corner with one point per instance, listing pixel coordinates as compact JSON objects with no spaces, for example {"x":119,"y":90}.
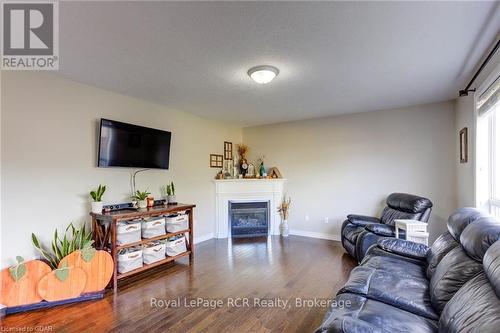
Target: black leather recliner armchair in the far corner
{"x":359,"y":232}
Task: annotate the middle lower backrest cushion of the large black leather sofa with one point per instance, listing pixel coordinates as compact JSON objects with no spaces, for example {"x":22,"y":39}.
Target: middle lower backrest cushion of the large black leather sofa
{"x":454,"y":270}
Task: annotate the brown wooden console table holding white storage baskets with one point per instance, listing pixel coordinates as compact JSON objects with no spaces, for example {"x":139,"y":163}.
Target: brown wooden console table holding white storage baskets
{"x":104,"y":234}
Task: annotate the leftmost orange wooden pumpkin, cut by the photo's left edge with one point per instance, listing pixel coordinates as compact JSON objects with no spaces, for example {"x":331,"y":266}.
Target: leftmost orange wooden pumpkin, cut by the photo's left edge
{"x":19,"y":282}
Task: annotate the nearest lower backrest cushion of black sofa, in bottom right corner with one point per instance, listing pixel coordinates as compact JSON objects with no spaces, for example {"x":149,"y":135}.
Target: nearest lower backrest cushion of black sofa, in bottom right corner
{"x":474,"y":308}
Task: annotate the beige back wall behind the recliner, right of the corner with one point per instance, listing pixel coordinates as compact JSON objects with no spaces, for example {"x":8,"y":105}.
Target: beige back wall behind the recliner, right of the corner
{"x":350,"y":163}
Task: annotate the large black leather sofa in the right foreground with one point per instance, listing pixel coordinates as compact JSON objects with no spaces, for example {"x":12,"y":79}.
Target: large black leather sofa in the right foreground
{"x":401,"y":286}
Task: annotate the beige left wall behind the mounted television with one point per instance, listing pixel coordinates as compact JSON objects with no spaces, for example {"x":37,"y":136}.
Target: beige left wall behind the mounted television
{"x":49,"y":128}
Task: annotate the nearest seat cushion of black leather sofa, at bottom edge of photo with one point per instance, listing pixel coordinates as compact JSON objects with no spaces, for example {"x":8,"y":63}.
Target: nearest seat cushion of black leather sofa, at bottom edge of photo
{"x":366,"y":315}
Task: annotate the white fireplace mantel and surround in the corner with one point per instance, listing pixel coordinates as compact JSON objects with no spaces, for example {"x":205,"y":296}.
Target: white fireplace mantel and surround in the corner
{"x":247,"y":190}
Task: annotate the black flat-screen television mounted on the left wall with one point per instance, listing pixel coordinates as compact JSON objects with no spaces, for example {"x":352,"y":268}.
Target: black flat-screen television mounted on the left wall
{"x":126,"y":145}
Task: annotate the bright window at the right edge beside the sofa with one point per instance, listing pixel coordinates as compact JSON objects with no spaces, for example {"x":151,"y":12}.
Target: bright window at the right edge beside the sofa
{"x":488,"y":148}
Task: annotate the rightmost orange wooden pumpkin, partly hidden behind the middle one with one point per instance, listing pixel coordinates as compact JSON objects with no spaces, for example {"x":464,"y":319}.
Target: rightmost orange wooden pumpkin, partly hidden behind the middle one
{"x":97,"y":264}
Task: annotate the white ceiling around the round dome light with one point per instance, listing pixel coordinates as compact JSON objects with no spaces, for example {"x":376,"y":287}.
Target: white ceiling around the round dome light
{"x":334,"y":57}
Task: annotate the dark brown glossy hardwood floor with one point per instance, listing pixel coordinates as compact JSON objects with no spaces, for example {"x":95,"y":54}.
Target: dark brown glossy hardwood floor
{"x":224,"y":270}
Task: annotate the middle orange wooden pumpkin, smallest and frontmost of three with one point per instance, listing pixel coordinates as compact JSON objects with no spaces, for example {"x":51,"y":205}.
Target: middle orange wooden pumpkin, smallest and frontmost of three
{"x":62,"y":283}
